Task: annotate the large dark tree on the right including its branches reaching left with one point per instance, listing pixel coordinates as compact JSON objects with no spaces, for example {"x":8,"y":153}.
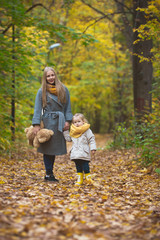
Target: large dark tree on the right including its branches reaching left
{"x":131,"y":17}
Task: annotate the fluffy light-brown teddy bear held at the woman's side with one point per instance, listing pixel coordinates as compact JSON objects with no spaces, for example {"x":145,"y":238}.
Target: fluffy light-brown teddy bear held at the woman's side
{"x":42,"y":136}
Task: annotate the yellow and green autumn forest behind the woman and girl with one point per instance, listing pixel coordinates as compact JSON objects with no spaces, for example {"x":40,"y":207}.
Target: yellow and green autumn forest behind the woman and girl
{"x":108,"y":58}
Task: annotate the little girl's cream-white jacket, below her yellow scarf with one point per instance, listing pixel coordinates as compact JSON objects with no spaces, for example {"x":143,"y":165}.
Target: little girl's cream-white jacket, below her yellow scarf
{"x":82,"y":145}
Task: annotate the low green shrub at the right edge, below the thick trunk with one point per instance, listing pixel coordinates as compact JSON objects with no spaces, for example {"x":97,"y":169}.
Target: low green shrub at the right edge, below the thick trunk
{"x":144,"y":136}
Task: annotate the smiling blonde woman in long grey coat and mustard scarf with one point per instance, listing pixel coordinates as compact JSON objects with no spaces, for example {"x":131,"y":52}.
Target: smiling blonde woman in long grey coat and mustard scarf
{"x":53,"y":107}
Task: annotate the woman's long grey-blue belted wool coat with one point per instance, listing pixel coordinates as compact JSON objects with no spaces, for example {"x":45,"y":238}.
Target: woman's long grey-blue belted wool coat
{"x":54,"y":116}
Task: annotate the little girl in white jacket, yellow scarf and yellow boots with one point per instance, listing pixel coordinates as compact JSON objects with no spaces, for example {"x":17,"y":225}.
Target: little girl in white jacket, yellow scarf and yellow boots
{"x":83,"y":141}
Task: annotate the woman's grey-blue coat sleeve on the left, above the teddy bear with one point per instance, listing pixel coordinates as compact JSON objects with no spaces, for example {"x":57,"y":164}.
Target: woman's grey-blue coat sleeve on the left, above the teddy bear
{"x":37,"y":108}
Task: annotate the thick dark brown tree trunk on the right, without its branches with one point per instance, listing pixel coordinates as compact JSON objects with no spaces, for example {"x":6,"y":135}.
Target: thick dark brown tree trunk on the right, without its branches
{"x":142,"y":71}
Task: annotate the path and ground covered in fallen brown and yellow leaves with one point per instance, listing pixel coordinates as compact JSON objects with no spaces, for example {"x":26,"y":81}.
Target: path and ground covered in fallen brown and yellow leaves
{"x":122,"y":204}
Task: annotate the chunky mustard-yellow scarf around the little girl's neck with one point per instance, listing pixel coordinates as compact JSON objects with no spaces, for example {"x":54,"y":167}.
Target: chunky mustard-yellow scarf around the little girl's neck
{"x":78,"y":131}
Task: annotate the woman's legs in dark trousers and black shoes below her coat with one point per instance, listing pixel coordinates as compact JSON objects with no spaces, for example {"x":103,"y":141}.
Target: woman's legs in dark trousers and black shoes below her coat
{"x":49,"y":163}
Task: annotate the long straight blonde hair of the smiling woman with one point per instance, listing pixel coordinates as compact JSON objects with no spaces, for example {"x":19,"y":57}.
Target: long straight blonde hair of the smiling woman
{"x":61,"y":93}
